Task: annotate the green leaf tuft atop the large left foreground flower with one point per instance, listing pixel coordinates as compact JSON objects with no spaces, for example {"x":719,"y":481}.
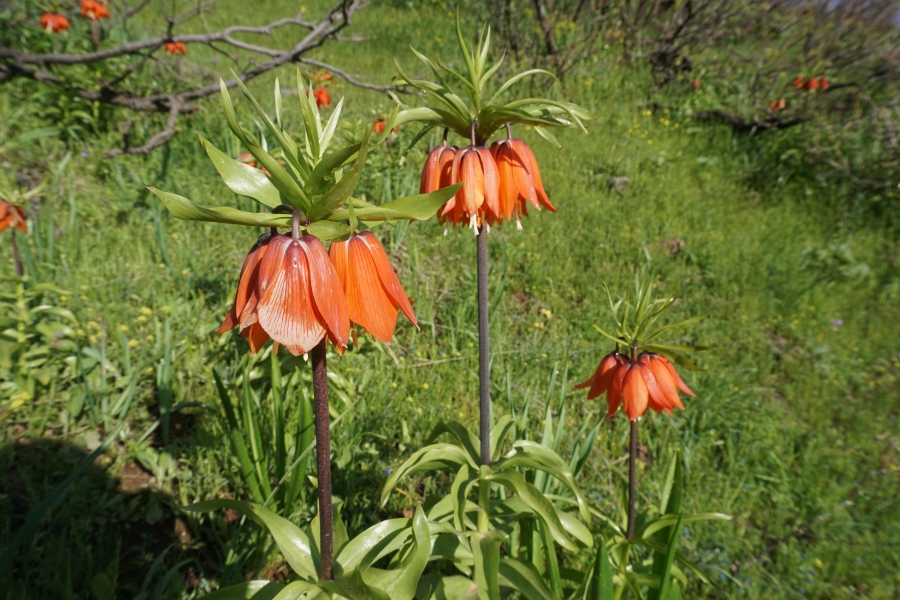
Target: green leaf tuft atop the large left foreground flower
{"x":310,"y":179}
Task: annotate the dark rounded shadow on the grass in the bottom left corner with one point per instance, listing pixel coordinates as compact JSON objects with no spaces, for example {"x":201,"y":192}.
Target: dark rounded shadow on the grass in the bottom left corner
{"x":100,"y":540}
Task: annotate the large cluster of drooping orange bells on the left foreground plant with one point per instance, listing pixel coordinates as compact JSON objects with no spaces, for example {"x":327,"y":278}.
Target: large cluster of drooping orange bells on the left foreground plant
{"x":292,"y":292}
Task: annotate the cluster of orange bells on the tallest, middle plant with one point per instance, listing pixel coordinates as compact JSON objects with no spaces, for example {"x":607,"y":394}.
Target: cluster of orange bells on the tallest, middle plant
{"x":497,"y":182}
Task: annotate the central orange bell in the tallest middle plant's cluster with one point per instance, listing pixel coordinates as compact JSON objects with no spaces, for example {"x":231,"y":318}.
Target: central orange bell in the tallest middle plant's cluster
{"x":478,"y":200}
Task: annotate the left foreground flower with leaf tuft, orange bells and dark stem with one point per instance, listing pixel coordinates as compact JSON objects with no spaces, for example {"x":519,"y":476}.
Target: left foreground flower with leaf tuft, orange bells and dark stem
{"x":290,"y":289}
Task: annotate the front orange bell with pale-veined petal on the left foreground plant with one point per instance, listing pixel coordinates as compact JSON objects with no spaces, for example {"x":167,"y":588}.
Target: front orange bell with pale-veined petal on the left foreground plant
{"x":300,"y":295}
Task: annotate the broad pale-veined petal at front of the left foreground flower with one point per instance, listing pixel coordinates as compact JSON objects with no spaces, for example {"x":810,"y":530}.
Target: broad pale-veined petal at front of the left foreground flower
{"x":285,"y":310}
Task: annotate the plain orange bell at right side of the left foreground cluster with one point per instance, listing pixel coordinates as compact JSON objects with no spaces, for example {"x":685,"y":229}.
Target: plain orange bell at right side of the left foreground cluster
{"x":374,"y":294}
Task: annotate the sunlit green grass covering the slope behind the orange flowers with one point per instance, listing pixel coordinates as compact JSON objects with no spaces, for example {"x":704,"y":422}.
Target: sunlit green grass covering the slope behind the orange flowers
{"x":794,"y":430}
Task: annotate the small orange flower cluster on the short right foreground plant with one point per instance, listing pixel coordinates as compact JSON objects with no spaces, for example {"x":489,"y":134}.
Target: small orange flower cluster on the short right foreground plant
{"x":651,"y":381}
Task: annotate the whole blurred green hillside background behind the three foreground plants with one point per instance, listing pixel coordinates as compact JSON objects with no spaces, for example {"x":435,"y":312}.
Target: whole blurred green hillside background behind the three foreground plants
{"x":780,"y":222}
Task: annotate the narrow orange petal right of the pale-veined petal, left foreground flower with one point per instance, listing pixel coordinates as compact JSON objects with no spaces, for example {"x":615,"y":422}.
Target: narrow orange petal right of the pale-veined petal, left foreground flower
{"x":327,"y":292}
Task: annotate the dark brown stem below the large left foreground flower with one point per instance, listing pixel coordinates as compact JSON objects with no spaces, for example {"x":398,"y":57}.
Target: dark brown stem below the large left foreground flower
{"x":323,"y":460}
